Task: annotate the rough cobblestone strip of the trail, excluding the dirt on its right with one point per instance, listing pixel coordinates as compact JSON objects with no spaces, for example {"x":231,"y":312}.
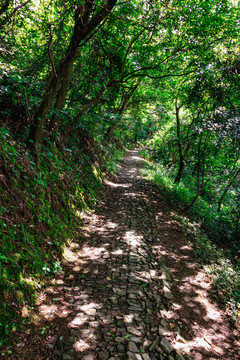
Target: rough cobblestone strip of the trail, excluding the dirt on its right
{"x":125,"y":286}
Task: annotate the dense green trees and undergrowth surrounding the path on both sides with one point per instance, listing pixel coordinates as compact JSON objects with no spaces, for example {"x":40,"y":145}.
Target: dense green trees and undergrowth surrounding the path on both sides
{"x":162,"y":73}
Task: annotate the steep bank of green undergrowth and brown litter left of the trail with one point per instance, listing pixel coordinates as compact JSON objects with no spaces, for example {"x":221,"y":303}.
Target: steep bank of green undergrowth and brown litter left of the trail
{"x":40,"y":211}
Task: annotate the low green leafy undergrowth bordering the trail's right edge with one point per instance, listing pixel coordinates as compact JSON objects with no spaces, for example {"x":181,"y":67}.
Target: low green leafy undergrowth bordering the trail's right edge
{"x":220,"y":260}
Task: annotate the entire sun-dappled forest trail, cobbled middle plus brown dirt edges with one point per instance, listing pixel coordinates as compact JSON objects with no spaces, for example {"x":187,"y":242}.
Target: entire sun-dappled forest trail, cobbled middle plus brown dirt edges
{"x":131,"y":288}
